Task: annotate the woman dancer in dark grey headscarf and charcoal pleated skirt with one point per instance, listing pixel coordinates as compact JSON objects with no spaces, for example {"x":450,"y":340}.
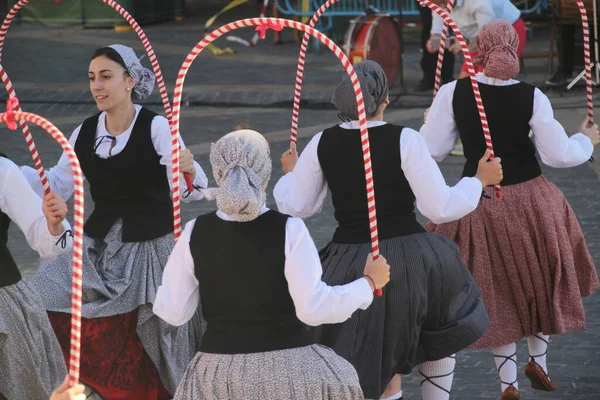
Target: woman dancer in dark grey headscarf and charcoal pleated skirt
{"x":431,"y":308}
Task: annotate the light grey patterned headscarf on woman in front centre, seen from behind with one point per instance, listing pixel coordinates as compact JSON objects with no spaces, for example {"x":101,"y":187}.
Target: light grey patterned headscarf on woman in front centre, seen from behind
{"x":241,"y":163}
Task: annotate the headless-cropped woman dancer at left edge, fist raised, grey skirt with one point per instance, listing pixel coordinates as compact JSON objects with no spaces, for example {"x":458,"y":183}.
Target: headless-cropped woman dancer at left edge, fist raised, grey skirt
{"x":30,"y":356}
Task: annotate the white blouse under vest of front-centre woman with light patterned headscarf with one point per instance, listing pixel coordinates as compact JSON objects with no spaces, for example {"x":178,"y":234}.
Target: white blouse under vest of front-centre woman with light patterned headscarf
{"x":316,"y":303}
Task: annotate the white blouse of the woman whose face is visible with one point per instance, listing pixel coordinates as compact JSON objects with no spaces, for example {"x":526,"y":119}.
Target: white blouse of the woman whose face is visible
{"x":60,"y":177}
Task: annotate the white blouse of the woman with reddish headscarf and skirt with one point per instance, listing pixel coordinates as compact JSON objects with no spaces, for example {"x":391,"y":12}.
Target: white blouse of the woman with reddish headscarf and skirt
{"x":555,"y":148}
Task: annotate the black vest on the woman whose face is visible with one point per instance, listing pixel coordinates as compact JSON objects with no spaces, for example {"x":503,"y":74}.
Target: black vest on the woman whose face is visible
{"x":131,"y":185}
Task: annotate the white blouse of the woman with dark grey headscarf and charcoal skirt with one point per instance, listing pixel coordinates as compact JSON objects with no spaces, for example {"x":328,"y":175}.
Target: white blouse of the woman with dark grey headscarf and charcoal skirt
{"x":301,"y":193}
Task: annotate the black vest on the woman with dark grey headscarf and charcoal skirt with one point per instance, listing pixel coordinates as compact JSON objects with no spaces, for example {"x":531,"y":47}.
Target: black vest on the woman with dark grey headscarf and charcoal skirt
{"x":341,"y":158}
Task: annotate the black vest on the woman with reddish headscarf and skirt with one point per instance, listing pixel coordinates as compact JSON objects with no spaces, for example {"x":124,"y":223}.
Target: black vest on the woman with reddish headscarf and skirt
{"x":509,"y":110}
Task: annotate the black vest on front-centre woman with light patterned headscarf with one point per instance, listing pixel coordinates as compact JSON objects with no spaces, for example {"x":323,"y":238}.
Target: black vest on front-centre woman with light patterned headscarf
{"x":244,"y":294}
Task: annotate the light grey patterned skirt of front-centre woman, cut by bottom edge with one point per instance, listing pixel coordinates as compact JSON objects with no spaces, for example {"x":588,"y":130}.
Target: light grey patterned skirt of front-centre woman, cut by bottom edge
{"x":303,"y":373}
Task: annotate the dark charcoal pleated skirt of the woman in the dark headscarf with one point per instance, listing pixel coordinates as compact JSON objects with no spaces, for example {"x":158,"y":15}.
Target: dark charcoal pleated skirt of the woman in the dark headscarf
{"x":429,"y":310}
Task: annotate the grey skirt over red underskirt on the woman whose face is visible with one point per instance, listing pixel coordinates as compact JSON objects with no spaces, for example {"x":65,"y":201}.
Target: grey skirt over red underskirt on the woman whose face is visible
{"x":119,"y":278}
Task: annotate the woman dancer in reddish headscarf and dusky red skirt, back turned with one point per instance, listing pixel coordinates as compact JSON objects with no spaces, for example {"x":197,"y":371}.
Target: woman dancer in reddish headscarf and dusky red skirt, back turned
{"x":526,"y":251}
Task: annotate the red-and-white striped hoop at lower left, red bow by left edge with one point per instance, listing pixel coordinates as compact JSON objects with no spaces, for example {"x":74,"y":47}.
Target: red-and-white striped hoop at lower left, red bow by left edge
{"x":9,"y":118}
